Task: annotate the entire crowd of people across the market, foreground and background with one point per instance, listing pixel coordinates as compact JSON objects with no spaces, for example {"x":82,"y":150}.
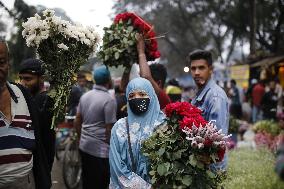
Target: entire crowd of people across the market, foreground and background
{"x":110,"y":128}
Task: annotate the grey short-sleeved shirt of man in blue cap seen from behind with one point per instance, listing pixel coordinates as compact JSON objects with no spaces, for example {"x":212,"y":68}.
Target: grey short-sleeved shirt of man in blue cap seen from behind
{"x":97,"y":108}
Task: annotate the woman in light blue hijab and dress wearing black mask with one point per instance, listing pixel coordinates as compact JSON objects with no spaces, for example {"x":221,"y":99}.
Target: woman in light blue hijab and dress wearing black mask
{"x":128,"y":167}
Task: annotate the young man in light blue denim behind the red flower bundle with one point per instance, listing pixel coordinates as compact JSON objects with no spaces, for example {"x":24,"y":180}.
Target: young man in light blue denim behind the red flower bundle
{"x":210,"y":98}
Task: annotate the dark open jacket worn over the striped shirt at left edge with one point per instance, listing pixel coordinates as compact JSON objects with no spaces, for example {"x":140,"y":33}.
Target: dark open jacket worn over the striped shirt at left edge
{"x":41,"y":172}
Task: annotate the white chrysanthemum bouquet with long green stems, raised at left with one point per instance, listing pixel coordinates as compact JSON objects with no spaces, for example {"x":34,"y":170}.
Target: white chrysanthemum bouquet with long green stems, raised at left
{"x":63,"y":48}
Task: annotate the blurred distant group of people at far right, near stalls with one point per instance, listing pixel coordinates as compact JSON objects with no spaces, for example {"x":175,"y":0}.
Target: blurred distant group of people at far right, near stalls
{"x":262,"y":100}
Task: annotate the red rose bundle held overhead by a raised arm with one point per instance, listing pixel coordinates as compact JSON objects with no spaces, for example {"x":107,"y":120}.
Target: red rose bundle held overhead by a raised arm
{"x":119,"y":41}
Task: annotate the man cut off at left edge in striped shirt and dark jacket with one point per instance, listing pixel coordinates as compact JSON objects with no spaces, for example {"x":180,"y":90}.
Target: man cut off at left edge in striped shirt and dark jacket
{"x":22,"y":160}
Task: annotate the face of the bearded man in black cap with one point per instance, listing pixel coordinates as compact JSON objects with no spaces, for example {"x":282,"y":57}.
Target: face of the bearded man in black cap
{"x":31,"y":81}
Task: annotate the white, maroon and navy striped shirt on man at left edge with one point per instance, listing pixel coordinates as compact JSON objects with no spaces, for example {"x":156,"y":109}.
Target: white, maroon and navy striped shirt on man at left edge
{"x":16,"y":141}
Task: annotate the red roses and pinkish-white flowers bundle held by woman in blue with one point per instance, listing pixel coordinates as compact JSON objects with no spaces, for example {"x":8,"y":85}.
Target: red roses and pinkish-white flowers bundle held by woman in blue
{"x":181,"y":150}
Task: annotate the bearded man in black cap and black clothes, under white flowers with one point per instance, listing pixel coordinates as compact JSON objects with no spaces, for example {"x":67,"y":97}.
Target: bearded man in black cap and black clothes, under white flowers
{"x":31,"y":76}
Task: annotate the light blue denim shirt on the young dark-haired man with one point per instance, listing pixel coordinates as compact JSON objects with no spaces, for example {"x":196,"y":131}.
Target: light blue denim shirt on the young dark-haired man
{"x":213,"y":102}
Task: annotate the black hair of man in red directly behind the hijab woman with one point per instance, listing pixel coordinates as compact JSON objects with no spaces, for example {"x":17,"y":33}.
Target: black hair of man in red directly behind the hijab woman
{"x":159,"y":72}
